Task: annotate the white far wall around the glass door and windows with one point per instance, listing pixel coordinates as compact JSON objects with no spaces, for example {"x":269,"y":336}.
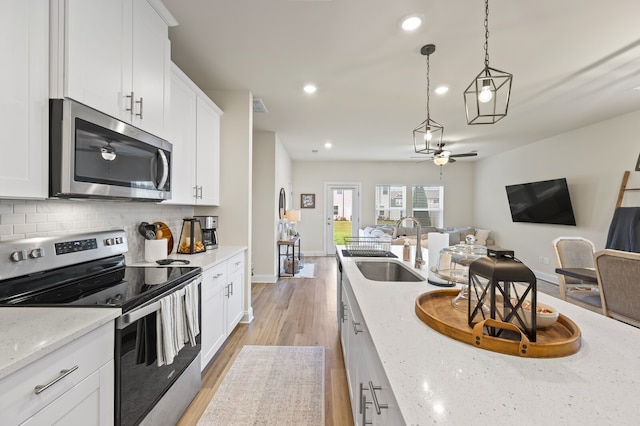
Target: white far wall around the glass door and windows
{"x":309,"y":177}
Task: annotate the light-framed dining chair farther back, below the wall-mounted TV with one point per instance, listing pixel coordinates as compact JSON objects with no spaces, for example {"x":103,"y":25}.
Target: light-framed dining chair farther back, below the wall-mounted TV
{"x":576,"y":252}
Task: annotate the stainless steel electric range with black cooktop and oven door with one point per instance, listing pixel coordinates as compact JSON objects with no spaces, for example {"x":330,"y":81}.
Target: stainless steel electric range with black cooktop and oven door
{"x":89,"y":270}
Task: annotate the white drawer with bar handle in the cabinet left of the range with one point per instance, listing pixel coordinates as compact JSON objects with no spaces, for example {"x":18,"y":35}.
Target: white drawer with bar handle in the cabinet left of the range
{"x":18,"y":400}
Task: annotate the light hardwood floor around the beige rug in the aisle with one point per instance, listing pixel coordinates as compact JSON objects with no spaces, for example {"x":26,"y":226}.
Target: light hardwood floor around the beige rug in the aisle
{"x":293,"y":311}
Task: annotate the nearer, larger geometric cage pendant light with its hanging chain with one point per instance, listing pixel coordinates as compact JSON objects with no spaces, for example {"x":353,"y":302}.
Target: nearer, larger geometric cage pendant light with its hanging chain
{"x":486,"y":99}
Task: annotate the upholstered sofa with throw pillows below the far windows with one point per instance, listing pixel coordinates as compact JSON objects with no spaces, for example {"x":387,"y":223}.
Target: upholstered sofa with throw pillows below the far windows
{"x":456,"y":234}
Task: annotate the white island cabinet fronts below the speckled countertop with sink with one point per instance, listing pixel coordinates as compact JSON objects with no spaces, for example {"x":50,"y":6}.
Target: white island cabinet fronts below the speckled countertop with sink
{"x":372,"y":399}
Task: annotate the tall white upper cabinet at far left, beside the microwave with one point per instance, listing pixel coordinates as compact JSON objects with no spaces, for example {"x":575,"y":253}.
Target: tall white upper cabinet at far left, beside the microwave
{"x":24,"y":108}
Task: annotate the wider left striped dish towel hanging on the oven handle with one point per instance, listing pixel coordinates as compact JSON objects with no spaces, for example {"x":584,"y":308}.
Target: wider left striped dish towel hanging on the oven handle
{"x":170,"y":327}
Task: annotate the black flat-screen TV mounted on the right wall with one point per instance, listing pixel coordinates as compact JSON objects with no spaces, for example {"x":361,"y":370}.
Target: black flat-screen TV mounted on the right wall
{"x":545,"y":201}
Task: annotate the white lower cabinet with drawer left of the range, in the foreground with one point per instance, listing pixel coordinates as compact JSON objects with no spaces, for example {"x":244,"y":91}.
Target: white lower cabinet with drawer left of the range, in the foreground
{"x":73,"y":385}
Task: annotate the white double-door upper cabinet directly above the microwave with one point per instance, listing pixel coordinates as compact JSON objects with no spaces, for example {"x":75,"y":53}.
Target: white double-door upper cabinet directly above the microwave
{"x":114,"y":56}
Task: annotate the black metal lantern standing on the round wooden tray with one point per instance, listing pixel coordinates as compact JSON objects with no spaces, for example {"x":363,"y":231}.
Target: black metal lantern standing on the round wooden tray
{"x":503,"y":289}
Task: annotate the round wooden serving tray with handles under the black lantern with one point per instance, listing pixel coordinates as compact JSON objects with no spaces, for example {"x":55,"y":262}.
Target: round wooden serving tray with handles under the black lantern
{"x":560,"y":339}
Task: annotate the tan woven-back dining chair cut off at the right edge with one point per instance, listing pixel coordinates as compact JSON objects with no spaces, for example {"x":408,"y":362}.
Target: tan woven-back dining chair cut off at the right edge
{"x":618,"y":273}
